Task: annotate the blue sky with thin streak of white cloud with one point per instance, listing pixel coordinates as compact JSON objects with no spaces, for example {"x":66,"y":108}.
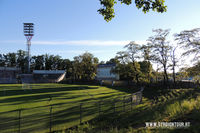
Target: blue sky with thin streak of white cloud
{"x":71,"y":27}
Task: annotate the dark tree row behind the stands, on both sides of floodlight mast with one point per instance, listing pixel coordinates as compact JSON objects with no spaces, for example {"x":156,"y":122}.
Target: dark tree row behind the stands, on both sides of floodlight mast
{"x":40,"y":62}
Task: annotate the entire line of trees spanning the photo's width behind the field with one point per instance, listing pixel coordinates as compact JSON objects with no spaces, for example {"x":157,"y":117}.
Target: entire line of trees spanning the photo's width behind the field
{"x":134,"y":63}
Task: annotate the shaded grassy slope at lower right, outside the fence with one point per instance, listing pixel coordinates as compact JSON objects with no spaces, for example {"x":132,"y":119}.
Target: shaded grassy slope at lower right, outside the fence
{"x":181,"y":105}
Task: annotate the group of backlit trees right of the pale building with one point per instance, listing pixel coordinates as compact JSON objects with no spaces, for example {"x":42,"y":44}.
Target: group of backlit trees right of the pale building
{"x":164,"y":53}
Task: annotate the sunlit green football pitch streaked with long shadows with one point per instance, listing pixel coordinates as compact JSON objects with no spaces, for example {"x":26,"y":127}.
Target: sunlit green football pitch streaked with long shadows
{"x":50,"y":107}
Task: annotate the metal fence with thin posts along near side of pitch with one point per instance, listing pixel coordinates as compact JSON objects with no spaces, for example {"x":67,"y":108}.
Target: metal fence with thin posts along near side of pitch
{"x":56,"y":117}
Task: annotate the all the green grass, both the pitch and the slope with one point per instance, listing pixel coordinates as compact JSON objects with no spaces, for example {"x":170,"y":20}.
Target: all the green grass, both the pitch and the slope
{"x":164,"y":105}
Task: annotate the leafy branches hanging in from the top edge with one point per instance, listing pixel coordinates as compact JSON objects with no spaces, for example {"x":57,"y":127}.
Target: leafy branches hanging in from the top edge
{"x":107,"y":11}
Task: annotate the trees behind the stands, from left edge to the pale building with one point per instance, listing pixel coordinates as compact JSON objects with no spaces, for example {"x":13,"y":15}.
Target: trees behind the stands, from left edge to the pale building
{"x":83,"y":67}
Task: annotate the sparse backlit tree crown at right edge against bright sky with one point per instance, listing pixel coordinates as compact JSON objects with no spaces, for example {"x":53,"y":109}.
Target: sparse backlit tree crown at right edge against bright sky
{"x":190,"y":41}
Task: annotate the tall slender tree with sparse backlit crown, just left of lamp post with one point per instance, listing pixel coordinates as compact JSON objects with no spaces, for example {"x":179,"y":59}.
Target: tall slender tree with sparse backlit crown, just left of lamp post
{"x":160,"y":50}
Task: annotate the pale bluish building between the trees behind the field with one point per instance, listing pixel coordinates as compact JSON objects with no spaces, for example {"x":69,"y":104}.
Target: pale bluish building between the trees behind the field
{"x":104,"y":72}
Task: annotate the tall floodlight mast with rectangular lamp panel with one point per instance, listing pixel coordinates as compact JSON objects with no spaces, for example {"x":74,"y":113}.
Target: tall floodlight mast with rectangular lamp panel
{"x":28,"y":33}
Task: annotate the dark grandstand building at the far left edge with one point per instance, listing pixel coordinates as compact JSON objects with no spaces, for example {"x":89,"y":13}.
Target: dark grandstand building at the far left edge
{"x":9,"y":74}
